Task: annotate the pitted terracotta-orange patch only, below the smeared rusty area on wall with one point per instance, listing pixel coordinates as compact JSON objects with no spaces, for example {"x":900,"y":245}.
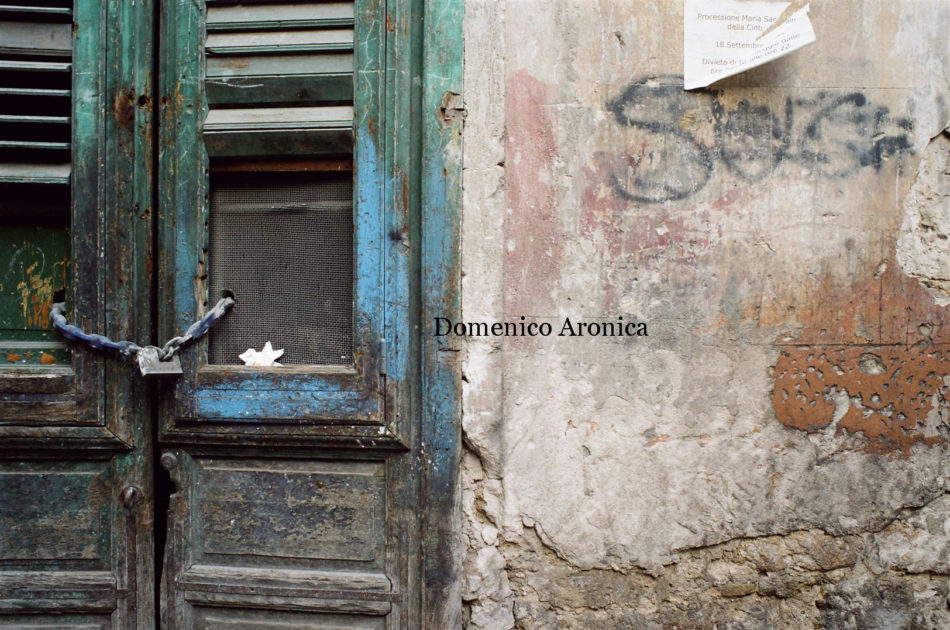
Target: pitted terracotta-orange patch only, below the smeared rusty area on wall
{"x":896,"y":395}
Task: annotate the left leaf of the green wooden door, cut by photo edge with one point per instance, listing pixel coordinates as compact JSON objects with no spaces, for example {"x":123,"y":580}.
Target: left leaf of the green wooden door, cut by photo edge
{"x":76,"y":445}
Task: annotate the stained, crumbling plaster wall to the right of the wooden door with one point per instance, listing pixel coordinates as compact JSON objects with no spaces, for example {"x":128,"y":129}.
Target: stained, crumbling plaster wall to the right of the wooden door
{"x":774,"y":453}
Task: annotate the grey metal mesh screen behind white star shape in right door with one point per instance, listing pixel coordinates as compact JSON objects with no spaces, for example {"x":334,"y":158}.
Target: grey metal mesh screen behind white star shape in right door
{"x":282,"y":243}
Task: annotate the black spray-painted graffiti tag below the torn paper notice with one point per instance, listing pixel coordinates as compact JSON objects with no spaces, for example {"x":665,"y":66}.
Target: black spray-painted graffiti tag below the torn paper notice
{"x":834,"y":135}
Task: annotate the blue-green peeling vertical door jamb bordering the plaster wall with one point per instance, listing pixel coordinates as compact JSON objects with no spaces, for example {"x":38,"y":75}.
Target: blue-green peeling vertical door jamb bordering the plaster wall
{"x":441,"y":279}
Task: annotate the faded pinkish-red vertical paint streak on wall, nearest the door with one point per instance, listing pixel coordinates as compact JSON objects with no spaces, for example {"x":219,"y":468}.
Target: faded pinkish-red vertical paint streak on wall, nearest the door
{"x":533,"y":248}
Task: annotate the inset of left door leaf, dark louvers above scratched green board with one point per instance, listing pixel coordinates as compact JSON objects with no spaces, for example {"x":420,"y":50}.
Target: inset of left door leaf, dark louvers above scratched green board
{"x":35,"y":88}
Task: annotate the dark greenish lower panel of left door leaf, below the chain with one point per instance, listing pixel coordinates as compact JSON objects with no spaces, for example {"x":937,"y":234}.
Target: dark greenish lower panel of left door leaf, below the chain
{"x":68,"y":543}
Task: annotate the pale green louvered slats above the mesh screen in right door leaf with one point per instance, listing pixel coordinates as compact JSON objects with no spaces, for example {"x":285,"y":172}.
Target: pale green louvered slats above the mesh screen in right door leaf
{"x":279,"y":79}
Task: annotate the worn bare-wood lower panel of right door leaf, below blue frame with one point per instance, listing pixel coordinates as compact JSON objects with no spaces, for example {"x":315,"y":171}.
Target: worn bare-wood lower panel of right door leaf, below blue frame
{"x":285,"y":534}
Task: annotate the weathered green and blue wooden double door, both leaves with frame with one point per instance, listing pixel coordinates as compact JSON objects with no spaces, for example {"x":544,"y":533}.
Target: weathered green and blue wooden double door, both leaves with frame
{"x":270,"y":150}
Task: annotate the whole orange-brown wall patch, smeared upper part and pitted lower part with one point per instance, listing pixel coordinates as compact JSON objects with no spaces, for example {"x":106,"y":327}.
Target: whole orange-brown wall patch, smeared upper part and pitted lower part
{"x":878,"y":343}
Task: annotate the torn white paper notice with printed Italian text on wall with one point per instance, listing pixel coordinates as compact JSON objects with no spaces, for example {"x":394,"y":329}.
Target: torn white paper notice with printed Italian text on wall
{"x":725,"y":37}
